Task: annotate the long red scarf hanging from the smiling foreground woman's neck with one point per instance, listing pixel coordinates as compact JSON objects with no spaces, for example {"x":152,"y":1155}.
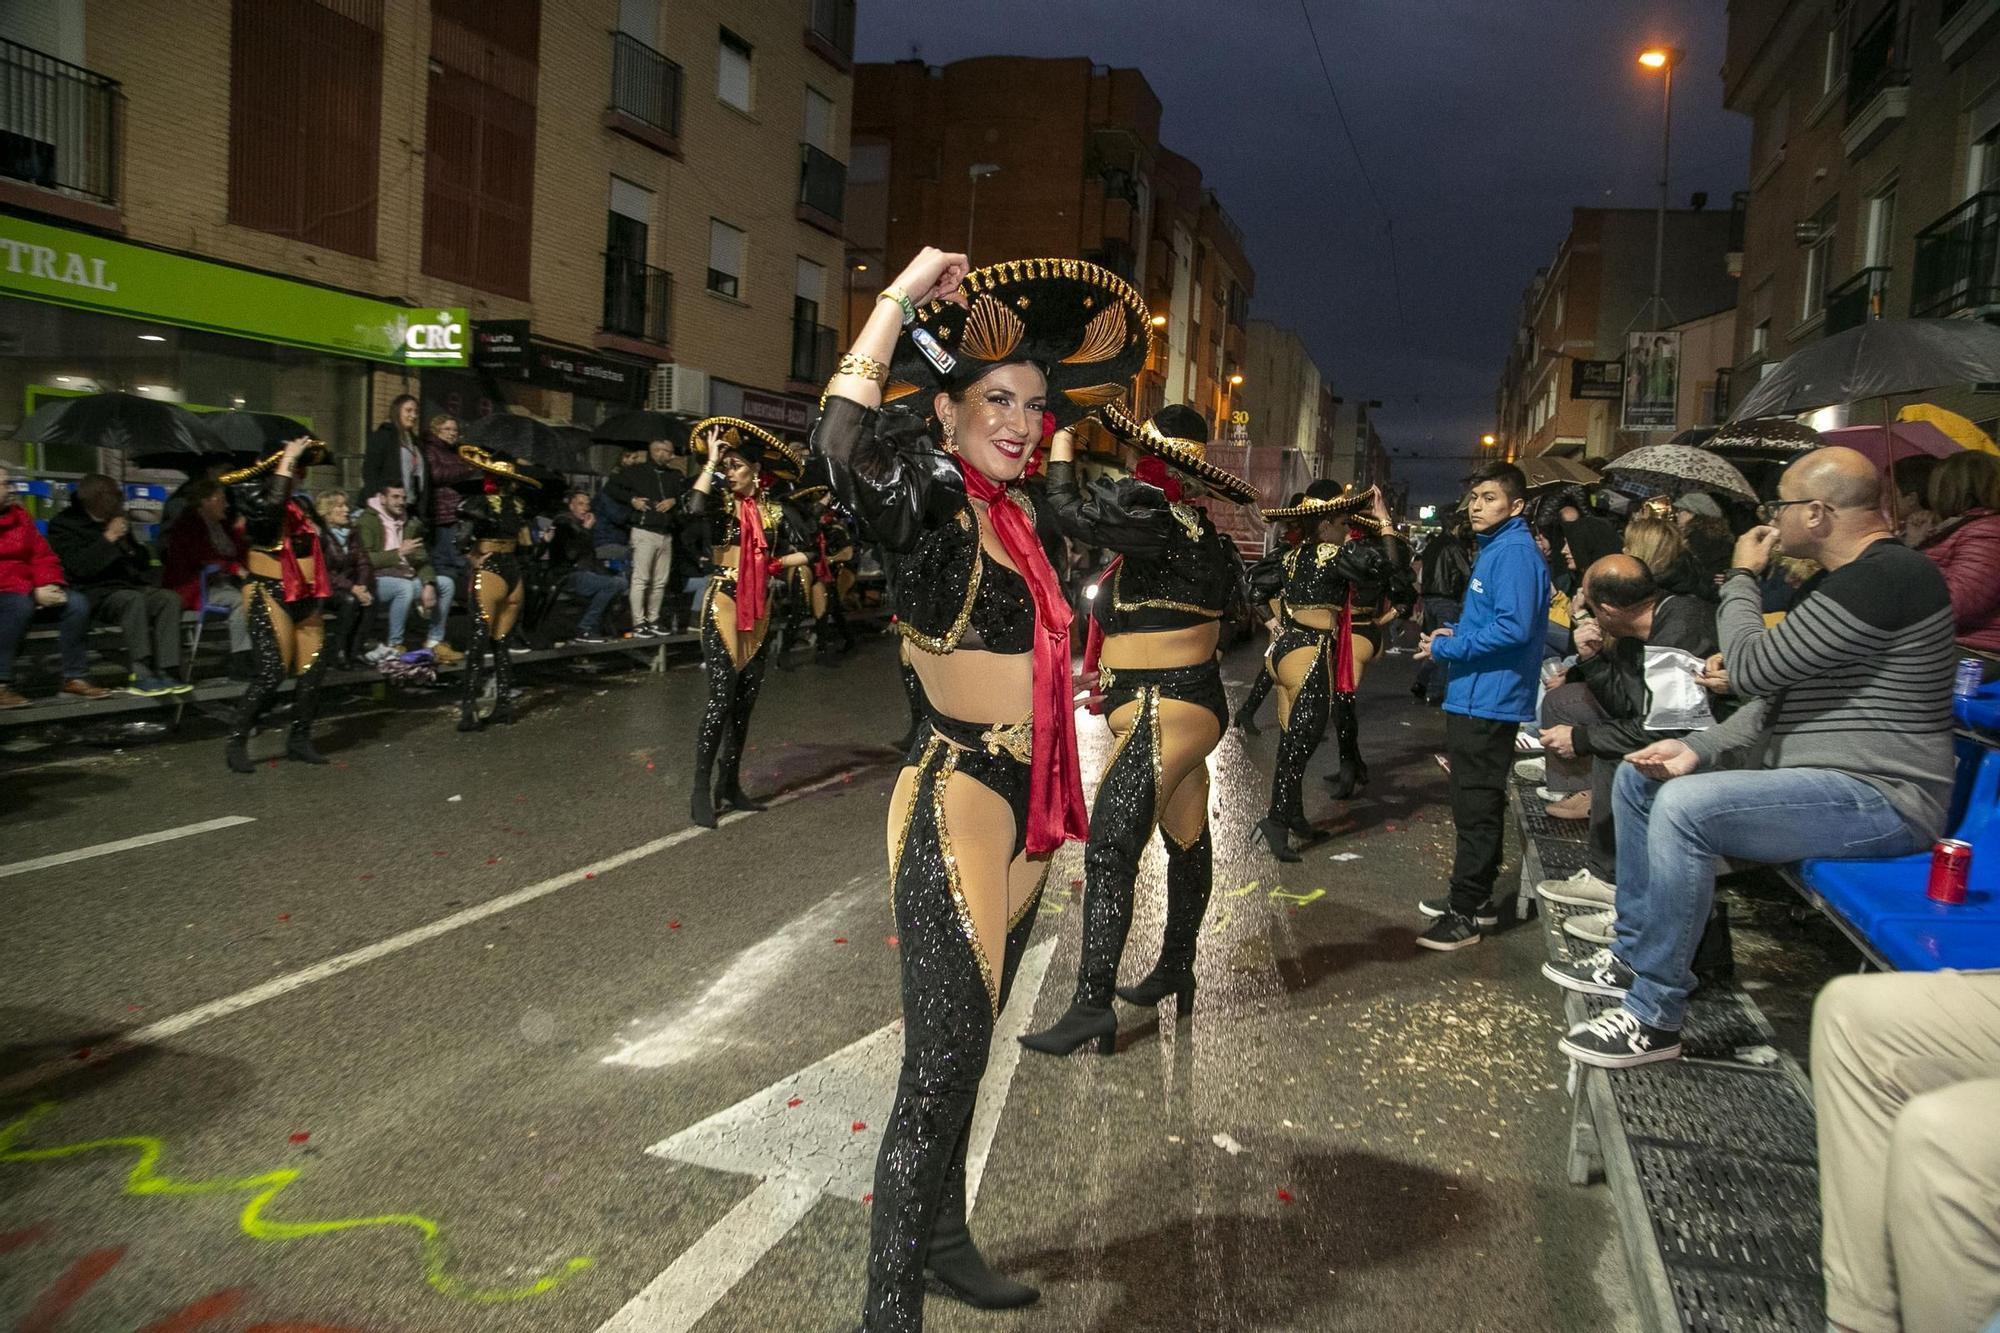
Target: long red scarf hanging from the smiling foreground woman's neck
{"x":1055,"y":786}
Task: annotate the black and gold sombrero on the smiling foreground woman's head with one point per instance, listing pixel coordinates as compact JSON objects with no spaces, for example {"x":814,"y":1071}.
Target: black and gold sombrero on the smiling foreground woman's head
{"x":1083,"y":325}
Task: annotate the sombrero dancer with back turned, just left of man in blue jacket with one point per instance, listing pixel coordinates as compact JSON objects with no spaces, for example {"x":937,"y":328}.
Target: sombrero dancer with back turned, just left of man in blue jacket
{"x":1321,"y":645}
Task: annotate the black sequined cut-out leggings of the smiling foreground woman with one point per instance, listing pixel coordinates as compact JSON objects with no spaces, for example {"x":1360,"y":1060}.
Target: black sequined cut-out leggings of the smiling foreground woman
{"x":951,"y":1000}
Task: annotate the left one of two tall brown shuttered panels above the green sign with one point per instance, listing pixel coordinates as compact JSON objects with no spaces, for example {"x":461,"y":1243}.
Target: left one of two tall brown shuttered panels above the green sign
{"x":307,"y":121}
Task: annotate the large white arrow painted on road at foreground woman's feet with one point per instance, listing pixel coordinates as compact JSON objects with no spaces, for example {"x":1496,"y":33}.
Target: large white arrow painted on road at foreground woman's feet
{"x":807,"y":1152}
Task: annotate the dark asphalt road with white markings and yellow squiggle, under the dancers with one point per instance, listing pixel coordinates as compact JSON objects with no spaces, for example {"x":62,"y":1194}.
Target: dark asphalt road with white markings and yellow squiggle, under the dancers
{"x":475,"y":1034}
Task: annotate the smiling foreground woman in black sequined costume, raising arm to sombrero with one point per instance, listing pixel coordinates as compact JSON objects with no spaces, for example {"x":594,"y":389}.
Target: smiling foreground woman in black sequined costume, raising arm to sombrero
{"x":991,"y":788}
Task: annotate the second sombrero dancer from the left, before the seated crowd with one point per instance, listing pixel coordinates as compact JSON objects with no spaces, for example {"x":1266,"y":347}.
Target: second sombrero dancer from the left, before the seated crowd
{"x":495,"y":527}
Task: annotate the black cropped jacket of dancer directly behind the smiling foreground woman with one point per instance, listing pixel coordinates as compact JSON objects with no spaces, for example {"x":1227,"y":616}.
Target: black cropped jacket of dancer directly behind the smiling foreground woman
{"x":1177,"y":567}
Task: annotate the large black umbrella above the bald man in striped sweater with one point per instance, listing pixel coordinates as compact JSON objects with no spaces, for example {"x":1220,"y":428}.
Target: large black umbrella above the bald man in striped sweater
{"x":1875,"y":361}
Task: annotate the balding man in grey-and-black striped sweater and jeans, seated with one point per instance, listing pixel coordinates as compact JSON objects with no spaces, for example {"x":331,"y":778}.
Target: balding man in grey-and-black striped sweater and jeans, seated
{"x":1845,"y":750}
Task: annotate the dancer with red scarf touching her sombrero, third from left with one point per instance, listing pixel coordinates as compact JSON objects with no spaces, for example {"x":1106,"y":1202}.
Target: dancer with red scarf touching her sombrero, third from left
{"x":751,"y":543}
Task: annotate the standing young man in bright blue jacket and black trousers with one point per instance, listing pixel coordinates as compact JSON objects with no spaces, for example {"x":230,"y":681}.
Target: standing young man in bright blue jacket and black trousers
{"x":1491,"y":661}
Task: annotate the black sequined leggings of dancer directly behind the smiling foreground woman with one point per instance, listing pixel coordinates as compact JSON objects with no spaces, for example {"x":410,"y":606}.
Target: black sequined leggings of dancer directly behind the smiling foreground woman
{"x":1133,"y":802}
